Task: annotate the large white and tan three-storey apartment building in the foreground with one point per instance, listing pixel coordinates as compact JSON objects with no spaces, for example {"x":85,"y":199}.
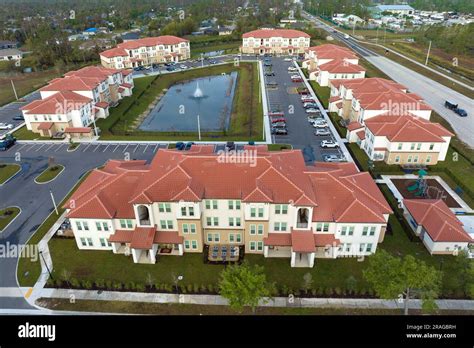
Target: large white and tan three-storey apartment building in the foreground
{"x":187,"y":202}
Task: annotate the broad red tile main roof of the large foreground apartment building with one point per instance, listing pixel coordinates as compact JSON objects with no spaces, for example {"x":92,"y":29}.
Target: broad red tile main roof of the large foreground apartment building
{"x":277,"y":177}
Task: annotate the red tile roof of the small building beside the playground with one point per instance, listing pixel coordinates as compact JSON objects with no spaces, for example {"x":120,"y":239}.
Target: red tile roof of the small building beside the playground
{"x":438,"y":220}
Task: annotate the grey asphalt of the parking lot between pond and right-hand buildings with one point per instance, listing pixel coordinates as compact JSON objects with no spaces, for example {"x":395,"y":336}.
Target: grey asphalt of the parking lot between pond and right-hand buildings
{"x":285,"y":97}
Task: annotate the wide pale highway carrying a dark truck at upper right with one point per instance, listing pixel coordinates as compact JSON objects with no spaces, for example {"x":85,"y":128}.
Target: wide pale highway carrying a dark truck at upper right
{"x":434,"y":93}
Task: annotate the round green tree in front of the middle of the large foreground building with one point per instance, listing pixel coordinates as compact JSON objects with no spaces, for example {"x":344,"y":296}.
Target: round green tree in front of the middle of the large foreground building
{"x":244,"y":285}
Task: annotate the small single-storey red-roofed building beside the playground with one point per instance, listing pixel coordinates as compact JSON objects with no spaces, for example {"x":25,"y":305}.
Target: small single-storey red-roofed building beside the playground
{"x":437,"y":226}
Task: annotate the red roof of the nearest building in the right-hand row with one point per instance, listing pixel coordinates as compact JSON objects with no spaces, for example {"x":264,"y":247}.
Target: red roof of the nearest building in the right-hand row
{"x":407,"y":129}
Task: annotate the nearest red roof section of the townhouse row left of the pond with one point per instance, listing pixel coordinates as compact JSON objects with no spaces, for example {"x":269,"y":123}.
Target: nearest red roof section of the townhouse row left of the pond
{"x":58,"y":103}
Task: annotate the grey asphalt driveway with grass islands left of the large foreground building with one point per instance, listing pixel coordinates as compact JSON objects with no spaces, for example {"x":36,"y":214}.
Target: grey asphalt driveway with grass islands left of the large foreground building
{"x":35,"y":200}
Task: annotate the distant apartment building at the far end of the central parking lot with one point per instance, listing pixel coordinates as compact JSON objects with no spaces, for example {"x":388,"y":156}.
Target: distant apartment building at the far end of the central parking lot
{"x":275,"y":41}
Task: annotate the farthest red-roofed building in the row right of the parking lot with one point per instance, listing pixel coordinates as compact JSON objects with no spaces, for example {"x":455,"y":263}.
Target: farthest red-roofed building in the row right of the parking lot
{"x":330,"y":62}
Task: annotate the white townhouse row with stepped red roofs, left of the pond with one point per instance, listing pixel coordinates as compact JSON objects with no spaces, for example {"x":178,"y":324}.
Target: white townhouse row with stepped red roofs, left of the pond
{"x":71,"y":104}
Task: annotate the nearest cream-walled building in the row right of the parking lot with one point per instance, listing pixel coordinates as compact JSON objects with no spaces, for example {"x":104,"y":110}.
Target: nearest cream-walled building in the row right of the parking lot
{"x":402,"y":140}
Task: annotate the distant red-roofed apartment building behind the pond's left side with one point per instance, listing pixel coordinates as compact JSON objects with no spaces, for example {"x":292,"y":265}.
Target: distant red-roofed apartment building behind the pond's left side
{"x":146,"y":51}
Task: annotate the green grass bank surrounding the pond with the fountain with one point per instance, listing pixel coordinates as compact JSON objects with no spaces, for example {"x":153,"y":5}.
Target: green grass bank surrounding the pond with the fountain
{"x":246,"y":118}
